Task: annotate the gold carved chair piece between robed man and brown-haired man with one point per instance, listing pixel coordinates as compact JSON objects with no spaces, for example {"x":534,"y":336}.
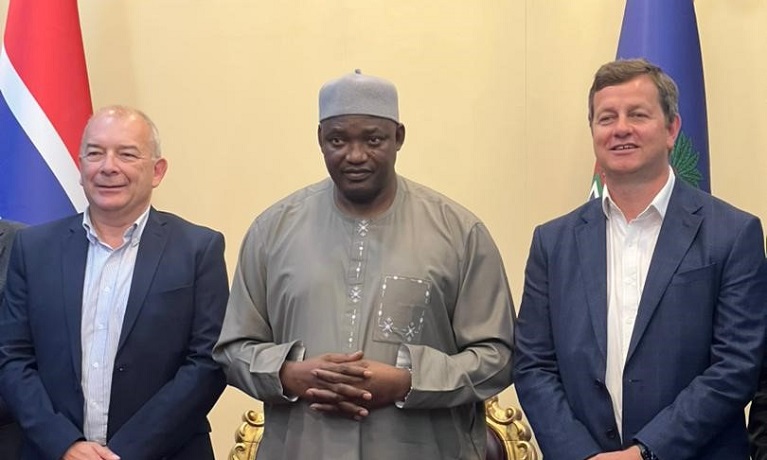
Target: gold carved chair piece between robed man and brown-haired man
{"x":508,"y":426}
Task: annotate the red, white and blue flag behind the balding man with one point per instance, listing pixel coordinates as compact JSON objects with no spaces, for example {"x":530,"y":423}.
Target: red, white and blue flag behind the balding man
{"x":44,"y":105}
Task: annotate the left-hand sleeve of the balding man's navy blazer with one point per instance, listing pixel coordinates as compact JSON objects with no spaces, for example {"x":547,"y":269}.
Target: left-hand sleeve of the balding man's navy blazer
{"x":20,"y":382}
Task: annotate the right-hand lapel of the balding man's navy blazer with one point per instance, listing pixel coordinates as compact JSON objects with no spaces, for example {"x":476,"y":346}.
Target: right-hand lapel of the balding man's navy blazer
{"x":150,"y":251}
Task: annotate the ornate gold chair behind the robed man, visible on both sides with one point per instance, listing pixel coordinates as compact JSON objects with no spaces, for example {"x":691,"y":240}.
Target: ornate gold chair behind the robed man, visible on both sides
{"x":508,"y":436}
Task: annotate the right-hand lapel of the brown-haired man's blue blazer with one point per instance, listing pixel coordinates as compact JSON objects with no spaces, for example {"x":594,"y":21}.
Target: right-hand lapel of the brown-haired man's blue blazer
{"x":680,"y":225}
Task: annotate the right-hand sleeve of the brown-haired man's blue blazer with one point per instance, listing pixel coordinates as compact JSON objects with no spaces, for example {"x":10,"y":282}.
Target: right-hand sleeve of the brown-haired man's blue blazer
{"x":721,"y":392}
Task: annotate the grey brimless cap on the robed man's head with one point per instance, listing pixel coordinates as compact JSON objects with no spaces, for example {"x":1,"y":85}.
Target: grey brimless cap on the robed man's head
{"x":357,"y":94}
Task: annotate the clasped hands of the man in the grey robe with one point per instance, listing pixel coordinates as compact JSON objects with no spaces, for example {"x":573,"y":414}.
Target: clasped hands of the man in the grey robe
{"x":345,"y":384}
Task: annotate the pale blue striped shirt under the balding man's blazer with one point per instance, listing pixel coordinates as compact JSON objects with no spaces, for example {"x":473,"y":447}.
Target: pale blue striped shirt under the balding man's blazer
{"x":108,"y":276}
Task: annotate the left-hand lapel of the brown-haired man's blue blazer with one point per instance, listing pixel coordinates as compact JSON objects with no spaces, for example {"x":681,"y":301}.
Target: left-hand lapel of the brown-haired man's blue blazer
{"x":590,"y":239}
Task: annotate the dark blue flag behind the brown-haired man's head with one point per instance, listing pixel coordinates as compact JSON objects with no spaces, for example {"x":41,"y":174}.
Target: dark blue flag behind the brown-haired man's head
{"x":665,"y":32}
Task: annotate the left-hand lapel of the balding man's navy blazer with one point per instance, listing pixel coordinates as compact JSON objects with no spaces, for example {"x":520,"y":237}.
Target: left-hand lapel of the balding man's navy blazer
{"x":74,"y":254}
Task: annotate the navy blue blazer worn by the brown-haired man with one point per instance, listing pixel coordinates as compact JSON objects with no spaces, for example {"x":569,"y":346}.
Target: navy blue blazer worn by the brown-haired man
{"x":696,"y":349}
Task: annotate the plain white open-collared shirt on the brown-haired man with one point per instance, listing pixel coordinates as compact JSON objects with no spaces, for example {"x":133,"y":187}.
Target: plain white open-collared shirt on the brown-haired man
{"x":630,"y":246}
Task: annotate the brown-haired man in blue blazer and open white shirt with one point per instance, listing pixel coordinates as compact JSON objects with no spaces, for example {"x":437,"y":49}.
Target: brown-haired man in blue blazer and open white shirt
{"x":642,"y":324}
